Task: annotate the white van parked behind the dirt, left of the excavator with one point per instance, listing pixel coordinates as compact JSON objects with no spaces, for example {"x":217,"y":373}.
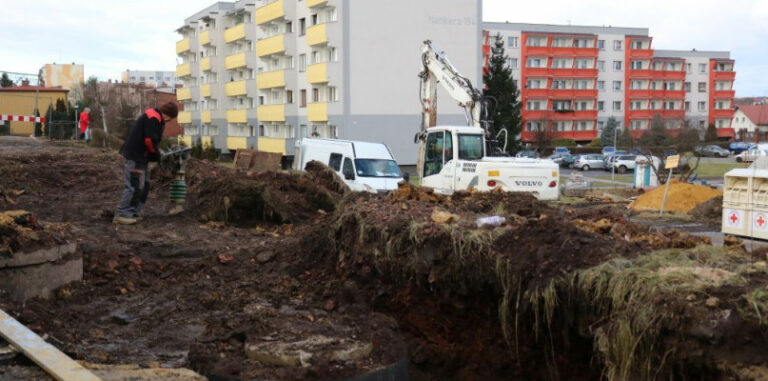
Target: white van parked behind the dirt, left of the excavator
{"x":368,"y":167}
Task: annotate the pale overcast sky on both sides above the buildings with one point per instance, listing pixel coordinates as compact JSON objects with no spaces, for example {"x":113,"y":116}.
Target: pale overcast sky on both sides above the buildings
{"x":109,"y":36}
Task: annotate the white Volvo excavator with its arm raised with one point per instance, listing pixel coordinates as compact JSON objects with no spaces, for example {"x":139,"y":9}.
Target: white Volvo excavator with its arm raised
{"x":453,"y":158}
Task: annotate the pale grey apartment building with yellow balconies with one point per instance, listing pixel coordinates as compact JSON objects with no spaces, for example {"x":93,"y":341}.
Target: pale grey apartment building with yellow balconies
{"x":261,"y":74}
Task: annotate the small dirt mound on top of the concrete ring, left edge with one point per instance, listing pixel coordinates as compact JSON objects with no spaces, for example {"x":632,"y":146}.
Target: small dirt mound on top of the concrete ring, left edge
{"x":20,"y":232}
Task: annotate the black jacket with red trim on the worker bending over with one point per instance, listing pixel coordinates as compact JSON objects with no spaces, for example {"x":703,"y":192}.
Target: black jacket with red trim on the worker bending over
{"x":144,"y":138}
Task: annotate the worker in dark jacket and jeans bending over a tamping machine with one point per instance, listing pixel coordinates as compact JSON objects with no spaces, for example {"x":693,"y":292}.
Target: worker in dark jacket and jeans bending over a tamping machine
{"x":141,"y":147}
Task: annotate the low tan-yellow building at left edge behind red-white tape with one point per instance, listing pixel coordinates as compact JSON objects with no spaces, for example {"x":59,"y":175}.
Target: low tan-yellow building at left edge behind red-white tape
{"x":20,"y":100}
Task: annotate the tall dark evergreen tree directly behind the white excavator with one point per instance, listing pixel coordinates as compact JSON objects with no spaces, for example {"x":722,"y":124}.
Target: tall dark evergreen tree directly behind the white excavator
{"x":500,"y":85}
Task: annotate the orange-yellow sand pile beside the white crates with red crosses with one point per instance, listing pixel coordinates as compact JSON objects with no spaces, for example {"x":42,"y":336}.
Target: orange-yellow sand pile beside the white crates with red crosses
{"x":682,"y":197}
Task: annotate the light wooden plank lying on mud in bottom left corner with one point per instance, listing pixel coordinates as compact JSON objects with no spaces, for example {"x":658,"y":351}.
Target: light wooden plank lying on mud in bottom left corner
{"x":45,"y":355}
